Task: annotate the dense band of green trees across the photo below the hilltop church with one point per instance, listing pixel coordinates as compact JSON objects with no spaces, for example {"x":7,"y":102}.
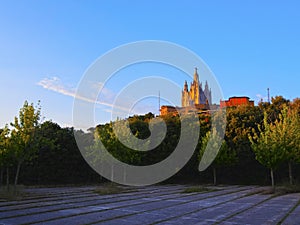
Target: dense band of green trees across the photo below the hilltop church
{"x":261,"y":146}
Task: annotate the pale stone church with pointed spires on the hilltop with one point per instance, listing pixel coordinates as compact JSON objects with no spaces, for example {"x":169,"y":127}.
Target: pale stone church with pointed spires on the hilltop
{"x":196,"y":95}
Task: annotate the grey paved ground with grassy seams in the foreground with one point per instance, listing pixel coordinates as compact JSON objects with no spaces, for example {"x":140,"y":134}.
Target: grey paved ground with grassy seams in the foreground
{"x":152,"y":205}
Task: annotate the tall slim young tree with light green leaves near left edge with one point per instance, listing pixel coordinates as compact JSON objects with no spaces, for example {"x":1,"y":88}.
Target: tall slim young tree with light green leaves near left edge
{"x":23,"y":135}
